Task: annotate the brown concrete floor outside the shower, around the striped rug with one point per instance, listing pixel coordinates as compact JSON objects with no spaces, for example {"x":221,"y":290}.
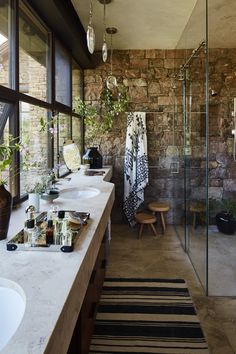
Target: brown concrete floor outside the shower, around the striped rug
{"x":164,"y":257}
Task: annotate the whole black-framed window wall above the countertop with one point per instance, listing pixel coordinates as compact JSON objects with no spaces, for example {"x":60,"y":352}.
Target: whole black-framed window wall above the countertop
{"x":37,"y":96}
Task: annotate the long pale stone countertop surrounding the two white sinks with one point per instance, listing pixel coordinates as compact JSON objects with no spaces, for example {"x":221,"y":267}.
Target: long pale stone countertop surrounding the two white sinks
{"x":55,"y":283}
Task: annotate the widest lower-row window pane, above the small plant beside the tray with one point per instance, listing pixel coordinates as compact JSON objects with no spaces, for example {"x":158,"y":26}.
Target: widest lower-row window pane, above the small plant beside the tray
{"x":34,"y":153}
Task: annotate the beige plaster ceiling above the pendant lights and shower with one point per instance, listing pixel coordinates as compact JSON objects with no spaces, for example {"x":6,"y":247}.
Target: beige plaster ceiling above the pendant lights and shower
{"x":161,"y":24}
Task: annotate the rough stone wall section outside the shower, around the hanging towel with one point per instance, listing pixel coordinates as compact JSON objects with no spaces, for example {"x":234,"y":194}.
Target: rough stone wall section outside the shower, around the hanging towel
{"x":148,"y":76}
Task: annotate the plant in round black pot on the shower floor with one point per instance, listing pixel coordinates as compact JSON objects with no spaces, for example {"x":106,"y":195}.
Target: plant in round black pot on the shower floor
{"x":226,"y":218}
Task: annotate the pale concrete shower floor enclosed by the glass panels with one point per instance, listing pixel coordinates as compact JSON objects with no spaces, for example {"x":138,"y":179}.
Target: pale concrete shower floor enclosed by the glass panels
{"x":221,"y":258}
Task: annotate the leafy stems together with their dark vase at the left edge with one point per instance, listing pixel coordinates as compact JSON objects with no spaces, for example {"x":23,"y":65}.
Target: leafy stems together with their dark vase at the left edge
{"x":6,"y":154}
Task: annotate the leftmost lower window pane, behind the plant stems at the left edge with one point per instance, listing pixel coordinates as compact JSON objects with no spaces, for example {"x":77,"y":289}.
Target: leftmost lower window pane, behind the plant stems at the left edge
{"x":6,"y":114}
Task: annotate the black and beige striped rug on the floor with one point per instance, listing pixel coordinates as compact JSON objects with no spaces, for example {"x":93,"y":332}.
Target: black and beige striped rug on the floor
{"x":146,"y":316}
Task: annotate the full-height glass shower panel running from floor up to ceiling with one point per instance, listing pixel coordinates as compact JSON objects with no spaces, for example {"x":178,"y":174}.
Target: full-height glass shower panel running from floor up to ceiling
{"x":193,"y":74}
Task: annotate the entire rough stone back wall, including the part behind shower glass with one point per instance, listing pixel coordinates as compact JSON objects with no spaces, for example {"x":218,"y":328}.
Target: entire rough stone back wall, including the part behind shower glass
{"x":148,"y":75}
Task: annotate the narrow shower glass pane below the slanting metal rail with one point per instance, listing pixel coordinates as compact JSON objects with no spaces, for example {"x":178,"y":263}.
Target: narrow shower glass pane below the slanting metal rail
{"x":195,"y":162}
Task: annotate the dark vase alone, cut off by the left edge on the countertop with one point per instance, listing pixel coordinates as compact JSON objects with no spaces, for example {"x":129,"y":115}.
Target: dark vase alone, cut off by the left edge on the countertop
{"x":5,"y":211}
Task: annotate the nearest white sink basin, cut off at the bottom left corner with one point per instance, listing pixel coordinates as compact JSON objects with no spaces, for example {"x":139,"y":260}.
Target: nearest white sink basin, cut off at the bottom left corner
{"x":12,"y":308}
